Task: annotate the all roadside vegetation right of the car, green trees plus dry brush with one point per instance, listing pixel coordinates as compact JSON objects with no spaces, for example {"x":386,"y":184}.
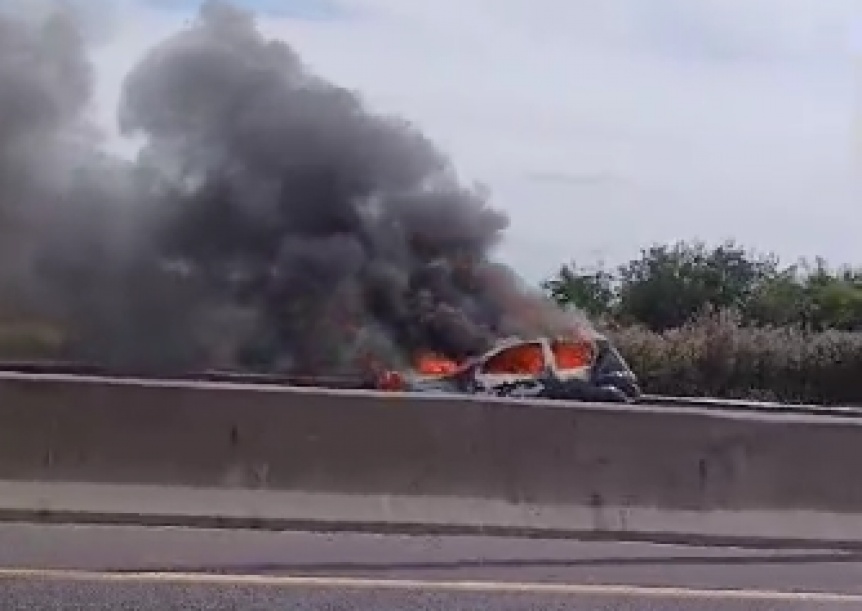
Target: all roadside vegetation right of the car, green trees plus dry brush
{"x":723,"y":321}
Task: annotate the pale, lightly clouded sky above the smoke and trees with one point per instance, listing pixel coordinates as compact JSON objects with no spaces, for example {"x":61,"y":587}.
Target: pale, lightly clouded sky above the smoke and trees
{"x":600,"y":127}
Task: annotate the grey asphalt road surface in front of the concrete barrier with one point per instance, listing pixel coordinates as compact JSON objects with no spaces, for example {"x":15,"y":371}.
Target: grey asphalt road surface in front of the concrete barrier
{"x":66,"y":567}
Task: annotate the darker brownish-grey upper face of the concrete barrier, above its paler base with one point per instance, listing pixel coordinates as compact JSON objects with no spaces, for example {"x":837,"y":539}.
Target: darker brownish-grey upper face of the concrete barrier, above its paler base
{"x":70,"y":429}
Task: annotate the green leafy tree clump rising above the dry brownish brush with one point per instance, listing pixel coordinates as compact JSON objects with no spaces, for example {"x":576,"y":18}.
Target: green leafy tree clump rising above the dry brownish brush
{"x":667,"y":286}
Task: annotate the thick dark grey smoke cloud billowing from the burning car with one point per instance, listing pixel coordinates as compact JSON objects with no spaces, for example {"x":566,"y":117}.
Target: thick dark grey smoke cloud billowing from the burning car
{"x":270,"y":221}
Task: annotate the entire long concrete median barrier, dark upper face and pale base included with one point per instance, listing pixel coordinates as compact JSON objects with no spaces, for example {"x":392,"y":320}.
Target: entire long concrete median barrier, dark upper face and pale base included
{"x":626,"y":470}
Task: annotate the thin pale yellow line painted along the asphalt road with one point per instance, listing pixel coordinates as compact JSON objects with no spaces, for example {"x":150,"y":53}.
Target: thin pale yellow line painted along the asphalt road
{"x":411,"y":585}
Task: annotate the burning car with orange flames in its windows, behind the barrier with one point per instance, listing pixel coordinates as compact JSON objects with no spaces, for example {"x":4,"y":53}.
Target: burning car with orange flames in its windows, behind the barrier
{"x":551,"y":368}
